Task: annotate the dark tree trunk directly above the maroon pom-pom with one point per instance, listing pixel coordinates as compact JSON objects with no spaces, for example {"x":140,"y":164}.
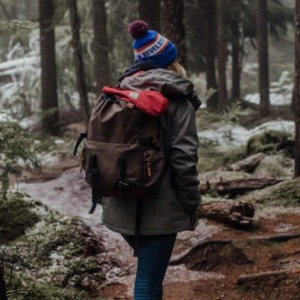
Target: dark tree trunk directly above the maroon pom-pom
{"x":149,"y":11}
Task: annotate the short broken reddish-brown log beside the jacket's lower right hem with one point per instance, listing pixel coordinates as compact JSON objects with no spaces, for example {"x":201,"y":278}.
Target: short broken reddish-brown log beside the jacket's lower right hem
{"x":236,"y":213}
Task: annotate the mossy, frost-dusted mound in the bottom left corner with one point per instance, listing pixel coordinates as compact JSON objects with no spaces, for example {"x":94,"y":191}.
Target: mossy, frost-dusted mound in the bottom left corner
{"x":52,"y":256}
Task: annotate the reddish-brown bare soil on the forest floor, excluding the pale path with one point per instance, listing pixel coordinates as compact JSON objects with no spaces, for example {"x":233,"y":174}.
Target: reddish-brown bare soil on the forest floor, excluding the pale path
{"x":244,"y":256}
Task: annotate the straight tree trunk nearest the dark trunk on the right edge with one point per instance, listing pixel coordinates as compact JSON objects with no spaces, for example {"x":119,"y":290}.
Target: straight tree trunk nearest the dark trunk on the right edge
{"x":263,"y":58}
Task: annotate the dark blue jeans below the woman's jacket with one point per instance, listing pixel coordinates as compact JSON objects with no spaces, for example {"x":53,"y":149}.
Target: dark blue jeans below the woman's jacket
{"x":154,"y":253}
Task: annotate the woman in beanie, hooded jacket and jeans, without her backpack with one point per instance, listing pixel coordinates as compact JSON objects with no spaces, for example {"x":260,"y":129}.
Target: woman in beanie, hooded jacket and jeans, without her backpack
{"x":174,"y":208}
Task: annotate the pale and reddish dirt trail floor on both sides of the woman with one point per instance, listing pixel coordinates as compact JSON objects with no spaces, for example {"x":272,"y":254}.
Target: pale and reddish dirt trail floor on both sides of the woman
{"x":213,"y":269}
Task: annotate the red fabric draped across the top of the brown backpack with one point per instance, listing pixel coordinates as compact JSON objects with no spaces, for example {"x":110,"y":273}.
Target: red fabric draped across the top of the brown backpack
{"x":150,"y":102}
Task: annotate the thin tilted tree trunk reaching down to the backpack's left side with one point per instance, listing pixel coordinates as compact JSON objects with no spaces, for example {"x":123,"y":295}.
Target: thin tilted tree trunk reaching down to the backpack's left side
{"x":78,"y":61}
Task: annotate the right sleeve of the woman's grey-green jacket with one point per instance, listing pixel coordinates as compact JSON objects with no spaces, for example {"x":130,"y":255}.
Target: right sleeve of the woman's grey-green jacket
{"x":183,"y":157}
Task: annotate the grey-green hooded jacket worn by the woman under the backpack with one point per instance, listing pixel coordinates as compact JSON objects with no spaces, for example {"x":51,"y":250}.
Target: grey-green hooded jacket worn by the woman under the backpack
{"x":174,"y":208}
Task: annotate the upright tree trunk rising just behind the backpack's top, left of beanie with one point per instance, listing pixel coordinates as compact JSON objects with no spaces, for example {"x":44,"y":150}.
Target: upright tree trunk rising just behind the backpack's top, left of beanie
{"x":100,"y":45}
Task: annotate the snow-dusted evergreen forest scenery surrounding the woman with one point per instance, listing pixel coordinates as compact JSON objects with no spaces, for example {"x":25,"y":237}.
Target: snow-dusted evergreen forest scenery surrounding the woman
{"x":243,"y":58}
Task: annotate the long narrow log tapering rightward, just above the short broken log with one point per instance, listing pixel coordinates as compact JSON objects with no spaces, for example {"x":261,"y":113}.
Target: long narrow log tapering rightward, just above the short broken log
{"x":237,"y":187}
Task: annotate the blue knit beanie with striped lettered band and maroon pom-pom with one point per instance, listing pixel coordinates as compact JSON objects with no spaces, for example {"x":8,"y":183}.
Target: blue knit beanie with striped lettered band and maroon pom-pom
{"x":150,"y":45}
